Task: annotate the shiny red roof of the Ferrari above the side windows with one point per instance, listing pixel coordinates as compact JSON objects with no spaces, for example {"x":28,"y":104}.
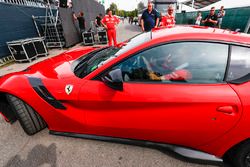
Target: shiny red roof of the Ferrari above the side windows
{"x":200,"y":33}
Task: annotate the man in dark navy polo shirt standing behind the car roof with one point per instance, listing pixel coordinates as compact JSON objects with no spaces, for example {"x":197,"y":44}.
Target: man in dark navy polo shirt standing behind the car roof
{"x":150,"y":18}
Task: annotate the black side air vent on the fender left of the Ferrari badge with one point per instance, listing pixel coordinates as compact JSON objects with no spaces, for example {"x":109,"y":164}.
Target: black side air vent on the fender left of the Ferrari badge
{"x":43,"y":92}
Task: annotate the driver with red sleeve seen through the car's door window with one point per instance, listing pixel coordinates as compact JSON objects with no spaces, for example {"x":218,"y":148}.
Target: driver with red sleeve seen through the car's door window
{"x":175,"y":69}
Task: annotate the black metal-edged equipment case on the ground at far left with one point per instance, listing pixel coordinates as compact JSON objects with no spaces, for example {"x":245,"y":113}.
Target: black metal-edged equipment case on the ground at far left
{"x":24,"y":50}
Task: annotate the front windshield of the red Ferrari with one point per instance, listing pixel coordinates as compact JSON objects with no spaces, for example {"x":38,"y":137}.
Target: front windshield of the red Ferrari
{"x":92,"y":61}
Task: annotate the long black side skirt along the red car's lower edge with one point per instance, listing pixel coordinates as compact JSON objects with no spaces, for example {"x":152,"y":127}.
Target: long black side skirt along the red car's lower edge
{"x":182,"y":153}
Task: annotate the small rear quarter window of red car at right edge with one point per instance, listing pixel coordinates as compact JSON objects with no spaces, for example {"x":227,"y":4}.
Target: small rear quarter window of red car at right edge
{"x":240,"y":63}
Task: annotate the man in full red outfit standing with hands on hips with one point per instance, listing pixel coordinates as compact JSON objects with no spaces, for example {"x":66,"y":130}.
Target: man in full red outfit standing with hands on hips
{"x":110,"y":22}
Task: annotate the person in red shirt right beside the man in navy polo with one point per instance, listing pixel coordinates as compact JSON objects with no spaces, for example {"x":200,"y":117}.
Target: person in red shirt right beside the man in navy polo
{"x":169,"y":19}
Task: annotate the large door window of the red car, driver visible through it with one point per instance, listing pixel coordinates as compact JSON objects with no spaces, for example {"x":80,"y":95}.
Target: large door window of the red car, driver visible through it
{"x":188,"y":62}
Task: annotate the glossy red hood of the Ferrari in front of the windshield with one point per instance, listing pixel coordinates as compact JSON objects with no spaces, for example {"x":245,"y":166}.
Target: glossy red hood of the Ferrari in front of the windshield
{"x":58,"y":67}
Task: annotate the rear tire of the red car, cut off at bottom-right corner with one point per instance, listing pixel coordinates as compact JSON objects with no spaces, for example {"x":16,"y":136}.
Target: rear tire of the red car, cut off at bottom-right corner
{"x":241,"y":155}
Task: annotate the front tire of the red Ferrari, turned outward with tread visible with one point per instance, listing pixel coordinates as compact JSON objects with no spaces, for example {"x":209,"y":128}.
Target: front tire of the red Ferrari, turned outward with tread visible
{"x":30,"y":121}
